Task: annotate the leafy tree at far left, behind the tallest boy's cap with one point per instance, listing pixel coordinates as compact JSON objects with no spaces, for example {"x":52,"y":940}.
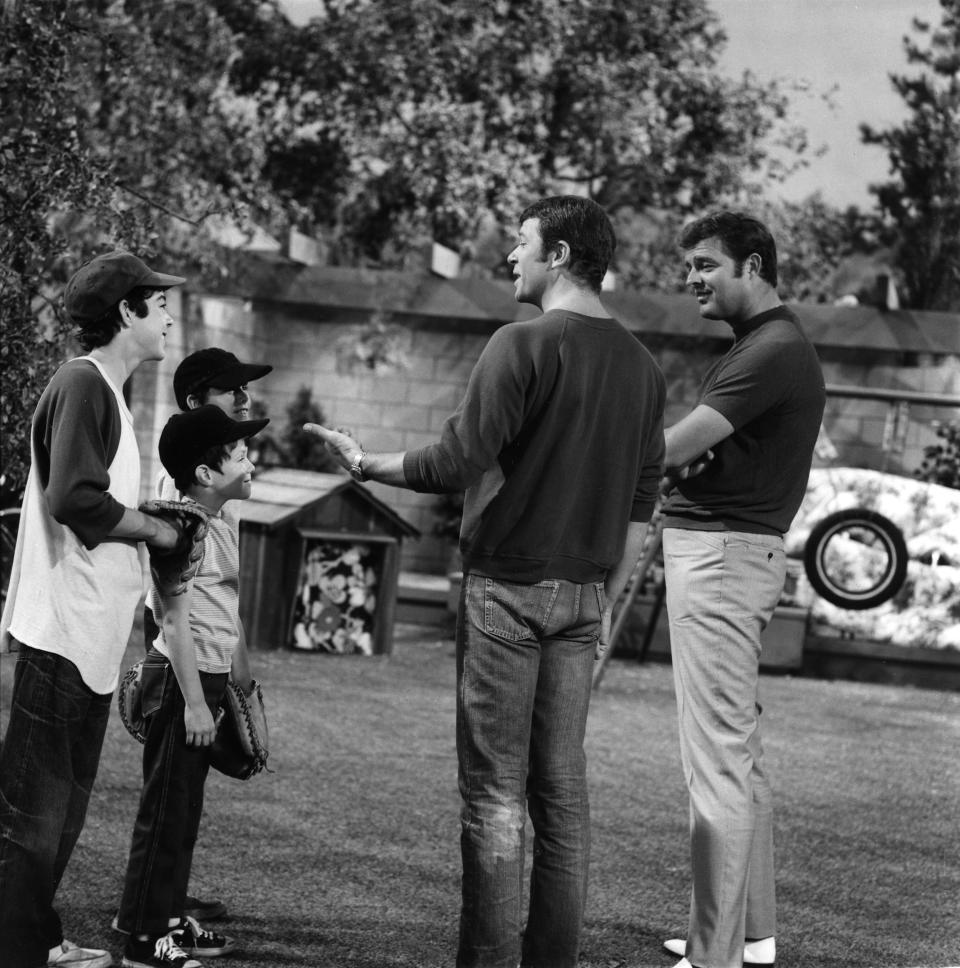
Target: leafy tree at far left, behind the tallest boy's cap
{"x":118,"y":128}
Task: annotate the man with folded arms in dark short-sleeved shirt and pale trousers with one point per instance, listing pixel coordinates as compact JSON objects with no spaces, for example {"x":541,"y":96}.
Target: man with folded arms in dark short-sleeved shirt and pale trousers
{"x":740,"y":462}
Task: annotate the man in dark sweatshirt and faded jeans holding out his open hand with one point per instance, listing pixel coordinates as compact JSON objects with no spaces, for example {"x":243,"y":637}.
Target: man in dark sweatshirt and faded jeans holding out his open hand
{"x":558,"y":444}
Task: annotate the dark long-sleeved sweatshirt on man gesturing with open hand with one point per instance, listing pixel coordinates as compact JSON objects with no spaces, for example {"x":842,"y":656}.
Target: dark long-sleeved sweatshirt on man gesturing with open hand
{"x":558,"y":443}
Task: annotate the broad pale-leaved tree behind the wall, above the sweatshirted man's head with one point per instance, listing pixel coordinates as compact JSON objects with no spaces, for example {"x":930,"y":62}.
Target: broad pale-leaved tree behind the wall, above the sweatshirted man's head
{"x":431,"y":116}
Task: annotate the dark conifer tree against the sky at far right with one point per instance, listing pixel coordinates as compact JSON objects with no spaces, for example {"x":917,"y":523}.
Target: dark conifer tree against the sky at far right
{"x":923,"y":200}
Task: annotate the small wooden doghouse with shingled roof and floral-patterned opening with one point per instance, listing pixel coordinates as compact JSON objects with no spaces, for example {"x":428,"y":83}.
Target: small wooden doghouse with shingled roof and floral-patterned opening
{"x":319,"y":558}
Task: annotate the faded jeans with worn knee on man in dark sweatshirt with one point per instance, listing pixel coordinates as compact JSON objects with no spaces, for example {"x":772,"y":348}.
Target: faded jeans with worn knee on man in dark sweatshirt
{"x":524,"y":667}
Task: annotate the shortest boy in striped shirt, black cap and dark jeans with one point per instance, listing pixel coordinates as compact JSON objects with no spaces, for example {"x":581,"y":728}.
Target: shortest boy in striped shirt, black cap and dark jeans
{"x":184,"y":678}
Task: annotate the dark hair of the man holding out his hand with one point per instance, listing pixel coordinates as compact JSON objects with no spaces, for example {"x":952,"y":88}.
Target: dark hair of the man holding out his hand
{"x":584,"y":226}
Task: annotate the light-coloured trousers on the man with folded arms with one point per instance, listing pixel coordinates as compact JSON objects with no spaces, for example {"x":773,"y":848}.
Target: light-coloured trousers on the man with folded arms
{"x":722,"y":588}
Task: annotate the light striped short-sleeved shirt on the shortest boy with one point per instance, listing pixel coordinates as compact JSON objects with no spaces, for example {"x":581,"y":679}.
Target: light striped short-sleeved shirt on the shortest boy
{"x":215,"y":606}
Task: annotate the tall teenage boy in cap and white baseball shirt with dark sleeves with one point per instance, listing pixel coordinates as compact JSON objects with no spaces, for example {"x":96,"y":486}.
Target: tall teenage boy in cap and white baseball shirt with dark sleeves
{"x":77,"y":578}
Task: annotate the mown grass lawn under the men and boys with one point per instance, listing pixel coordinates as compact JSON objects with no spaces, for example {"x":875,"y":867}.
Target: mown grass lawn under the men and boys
{"x":347,"y":855}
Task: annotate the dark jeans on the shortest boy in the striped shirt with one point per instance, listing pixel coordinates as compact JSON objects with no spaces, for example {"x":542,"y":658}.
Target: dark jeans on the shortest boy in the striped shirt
{"x":171,"y":802}
